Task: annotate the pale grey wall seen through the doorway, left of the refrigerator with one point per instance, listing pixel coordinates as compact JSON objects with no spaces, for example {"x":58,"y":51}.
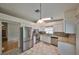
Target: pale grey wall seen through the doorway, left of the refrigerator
{"x":14,"y":33}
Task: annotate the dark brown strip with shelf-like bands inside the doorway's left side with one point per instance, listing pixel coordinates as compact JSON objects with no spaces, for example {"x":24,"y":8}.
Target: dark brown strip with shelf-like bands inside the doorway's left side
{"x":4,"y":36}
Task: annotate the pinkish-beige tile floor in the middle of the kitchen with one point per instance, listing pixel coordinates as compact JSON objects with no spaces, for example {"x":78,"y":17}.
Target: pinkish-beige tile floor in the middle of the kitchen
{"x":42,"y":49}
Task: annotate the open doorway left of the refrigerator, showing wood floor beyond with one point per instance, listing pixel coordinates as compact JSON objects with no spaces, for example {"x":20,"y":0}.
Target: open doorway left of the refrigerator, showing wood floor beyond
{"x":10,"y":36}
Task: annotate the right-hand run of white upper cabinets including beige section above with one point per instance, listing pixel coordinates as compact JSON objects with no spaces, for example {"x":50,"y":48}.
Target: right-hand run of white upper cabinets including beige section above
{"x":67,"y":25}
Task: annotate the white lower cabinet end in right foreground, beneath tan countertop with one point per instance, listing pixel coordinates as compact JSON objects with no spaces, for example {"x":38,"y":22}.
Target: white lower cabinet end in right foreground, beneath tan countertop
{"x":66,"y":49}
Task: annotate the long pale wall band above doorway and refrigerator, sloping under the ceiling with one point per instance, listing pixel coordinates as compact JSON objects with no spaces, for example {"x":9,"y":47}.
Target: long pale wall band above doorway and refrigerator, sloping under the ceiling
{"x":23,"y":22}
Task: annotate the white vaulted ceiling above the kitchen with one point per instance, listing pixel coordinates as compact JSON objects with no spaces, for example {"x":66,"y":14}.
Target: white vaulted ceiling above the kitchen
{"x":27,"y":10}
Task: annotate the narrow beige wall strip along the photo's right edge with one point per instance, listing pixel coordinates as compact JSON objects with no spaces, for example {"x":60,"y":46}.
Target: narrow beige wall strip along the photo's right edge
{"x":77,"y":31}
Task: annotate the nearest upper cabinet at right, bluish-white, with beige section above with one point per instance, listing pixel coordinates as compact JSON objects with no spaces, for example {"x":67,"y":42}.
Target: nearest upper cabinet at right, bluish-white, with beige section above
{"x":69,"y":21}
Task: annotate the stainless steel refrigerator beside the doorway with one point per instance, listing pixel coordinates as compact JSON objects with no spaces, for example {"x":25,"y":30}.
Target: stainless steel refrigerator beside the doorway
{"x":25,"y":41}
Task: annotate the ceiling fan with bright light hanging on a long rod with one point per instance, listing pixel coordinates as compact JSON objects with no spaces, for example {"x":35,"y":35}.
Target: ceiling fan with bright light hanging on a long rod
{"x":46,"y":20}
